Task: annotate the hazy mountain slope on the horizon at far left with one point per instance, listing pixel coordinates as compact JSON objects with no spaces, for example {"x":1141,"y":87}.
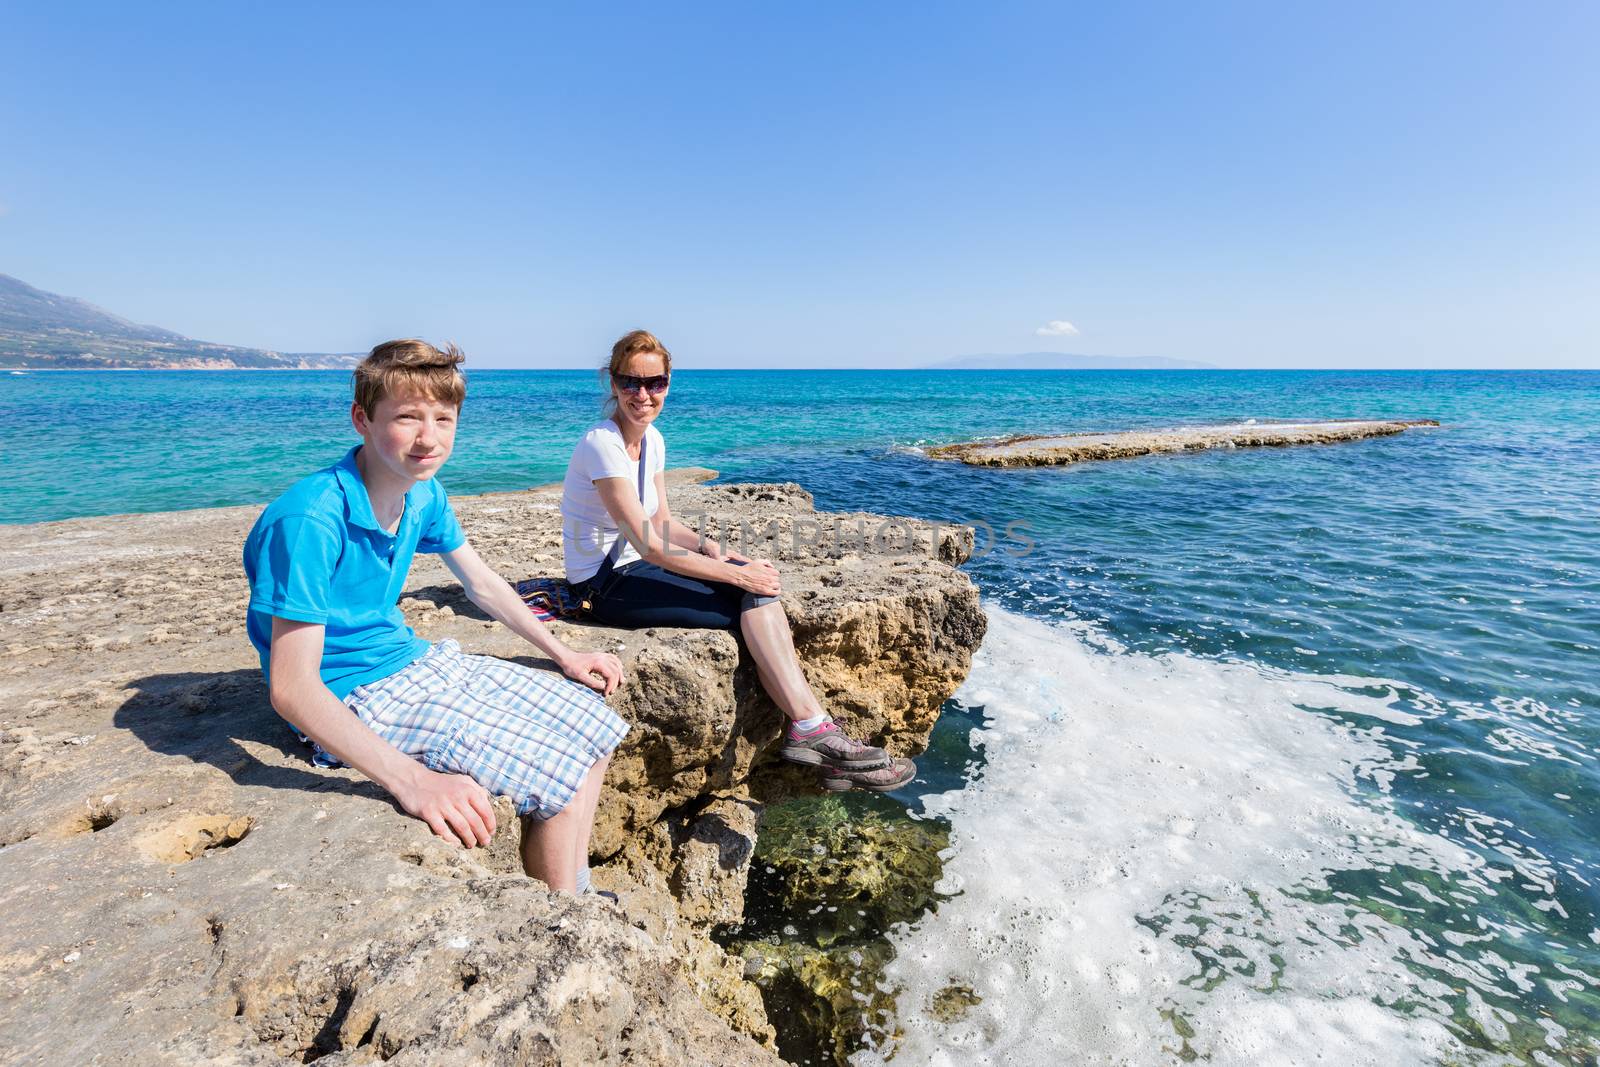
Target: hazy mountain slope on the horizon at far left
{"x":49,"y":332}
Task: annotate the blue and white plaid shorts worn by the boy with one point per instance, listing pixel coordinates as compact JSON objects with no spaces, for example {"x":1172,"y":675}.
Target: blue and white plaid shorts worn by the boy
{"x":516,"y":732}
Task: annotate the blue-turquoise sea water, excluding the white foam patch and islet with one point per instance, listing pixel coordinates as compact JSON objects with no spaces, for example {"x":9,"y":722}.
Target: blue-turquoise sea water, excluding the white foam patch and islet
{"x":1455,"y":569}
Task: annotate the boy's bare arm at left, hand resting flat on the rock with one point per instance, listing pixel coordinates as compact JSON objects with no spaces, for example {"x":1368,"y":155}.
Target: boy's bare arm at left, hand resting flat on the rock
{"x":455,"y":807}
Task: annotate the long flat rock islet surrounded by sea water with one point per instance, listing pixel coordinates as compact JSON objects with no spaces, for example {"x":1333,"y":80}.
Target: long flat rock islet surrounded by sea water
{"x":1068,"y":449}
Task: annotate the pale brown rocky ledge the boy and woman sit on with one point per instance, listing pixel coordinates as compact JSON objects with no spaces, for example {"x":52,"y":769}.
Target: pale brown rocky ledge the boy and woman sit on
{"x":183,"y":885}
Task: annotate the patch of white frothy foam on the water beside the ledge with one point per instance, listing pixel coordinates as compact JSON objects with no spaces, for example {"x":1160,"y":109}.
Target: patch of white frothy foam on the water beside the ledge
{"x":1142,"y":874}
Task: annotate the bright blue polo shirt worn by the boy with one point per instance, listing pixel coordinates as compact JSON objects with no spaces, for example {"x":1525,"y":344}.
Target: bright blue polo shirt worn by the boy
{"x":319,"y":556}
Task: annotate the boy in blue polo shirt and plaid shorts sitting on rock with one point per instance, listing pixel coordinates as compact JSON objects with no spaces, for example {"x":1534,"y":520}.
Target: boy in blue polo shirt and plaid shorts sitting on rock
{"x":436,"y":729}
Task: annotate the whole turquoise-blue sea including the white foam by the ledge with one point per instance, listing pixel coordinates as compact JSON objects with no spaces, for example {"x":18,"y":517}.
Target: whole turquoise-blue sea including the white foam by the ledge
{"x":1271,"y":756}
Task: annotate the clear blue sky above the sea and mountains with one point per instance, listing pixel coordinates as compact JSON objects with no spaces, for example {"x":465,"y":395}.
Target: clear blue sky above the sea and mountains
{"x":818,"y":185}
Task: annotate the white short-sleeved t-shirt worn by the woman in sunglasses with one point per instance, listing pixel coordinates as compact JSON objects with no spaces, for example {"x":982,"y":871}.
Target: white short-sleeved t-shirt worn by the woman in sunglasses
{"x":588,"y":529}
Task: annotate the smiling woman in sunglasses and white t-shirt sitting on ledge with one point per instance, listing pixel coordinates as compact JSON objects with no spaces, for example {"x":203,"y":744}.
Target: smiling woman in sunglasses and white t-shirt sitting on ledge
{"x":615,"y":484}
